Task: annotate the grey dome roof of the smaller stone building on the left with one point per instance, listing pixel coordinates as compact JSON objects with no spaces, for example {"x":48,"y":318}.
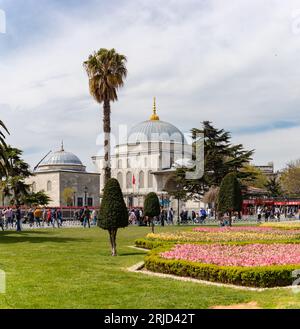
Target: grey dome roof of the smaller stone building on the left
{"x":61,"y":160}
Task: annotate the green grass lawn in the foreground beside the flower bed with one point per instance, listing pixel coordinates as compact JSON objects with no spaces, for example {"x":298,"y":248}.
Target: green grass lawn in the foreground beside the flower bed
{"x":72,"y":268}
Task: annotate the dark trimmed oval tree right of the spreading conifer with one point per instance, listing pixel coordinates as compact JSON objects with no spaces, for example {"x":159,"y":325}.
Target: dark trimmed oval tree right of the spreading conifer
{"x":230,"y":196}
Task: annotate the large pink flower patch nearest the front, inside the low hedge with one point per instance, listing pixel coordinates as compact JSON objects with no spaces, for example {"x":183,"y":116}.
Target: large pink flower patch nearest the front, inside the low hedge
{"x":236,"y":255}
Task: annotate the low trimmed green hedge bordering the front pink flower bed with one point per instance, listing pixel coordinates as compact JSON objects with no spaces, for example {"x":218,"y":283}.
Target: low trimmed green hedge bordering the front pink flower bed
{"x":258,"y":276}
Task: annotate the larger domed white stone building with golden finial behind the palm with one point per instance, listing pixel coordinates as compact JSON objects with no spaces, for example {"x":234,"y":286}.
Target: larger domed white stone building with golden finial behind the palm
{"x":146,"y":161}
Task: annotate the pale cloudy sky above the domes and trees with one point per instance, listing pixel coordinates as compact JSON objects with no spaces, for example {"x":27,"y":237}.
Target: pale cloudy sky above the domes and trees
{"x":235,"y":63}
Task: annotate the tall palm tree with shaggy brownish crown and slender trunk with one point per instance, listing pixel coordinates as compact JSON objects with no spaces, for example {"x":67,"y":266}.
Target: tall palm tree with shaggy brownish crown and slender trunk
{"x":106,"y":70}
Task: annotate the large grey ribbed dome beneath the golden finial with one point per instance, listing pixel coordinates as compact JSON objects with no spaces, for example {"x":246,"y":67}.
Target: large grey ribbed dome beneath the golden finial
{"x":154,"y":131}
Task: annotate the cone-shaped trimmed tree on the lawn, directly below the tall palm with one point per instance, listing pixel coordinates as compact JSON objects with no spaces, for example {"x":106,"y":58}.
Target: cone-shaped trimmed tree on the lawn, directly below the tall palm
{"x":113,"y":212}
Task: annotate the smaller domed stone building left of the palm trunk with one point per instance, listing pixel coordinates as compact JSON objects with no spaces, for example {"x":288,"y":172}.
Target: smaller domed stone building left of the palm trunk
{"x":63,"y":177}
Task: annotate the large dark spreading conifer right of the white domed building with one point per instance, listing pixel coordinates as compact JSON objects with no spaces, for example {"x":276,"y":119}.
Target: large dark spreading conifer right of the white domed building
{"x":220,"y":158}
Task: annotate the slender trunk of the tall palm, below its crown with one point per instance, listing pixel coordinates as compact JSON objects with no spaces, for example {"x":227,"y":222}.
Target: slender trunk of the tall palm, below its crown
{"x":107,"y":130}
